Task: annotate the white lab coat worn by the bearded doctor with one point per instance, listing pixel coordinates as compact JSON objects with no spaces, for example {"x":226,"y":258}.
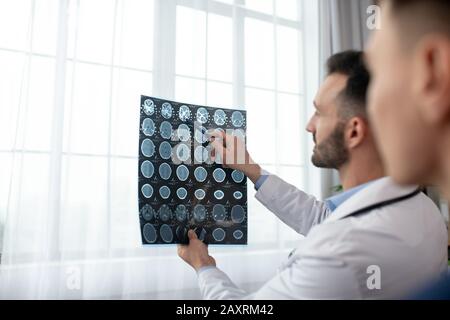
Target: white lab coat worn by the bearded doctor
{"x":405,"y":241}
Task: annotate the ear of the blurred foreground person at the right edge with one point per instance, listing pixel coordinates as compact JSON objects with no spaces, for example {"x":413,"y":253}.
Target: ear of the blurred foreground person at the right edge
{"x":431,"y":78}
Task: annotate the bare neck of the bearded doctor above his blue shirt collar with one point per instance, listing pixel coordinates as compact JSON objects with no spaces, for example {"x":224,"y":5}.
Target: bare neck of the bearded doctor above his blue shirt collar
{"x":352,"y":175}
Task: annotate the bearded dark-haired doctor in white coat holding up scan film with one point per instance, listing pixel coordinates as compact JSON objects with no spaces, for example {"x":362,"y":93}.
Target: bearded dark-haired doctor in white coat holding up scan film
{"x":375,"y":240}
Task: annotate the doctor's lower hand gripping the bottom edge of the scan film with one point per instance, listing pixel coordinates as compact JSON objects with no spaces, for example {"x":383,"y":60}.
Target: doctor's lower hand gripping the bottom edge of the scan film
{"x":196,"y":253}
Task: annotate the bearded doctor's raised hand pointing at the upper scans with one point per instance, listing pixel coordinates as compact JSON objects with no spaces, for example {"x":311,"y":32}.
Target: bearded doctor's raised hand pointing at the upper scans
{"x":234,"y":154}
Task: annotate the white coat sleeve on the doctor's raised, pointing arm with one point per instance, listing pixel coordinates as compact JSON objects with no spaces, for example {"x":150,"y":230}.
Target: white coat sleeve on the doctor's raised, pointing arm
{"x":297,"y":209}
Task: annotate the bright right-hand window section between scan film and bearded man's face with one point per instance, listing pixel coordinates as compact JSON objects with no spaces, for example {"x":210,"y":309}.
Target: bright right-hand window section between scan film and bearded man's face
{"x":248,"y":54}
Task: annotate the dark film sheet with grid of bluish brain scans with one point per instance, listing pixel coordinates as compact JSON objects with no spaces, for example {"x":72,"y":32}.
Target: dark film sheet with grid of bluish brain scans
{"x":181,"y":187}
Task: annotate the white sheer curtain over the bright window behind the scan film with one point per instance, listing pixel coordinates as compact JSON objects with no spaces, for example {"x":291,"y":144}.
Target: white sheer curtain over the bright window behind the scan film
{"x":72,"y":72}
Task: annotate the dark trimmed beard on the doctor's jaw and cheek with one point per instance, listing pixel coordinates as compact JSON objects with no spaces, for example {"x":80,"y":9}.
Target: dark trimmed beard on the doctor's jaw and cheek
{"x":331,"y":153}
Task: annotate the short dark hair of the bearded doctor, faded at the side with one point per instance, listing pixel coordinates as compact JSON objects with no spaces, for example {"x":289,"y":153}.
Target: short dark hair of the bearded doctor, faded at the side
{"x":353,"y":96}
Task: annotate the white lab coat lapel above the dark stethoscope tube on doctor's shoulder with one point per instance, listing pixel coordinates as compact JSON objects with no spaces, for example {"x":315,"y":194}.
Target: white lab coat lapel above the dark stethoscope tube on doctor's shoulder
{"x":379,"y":191}
